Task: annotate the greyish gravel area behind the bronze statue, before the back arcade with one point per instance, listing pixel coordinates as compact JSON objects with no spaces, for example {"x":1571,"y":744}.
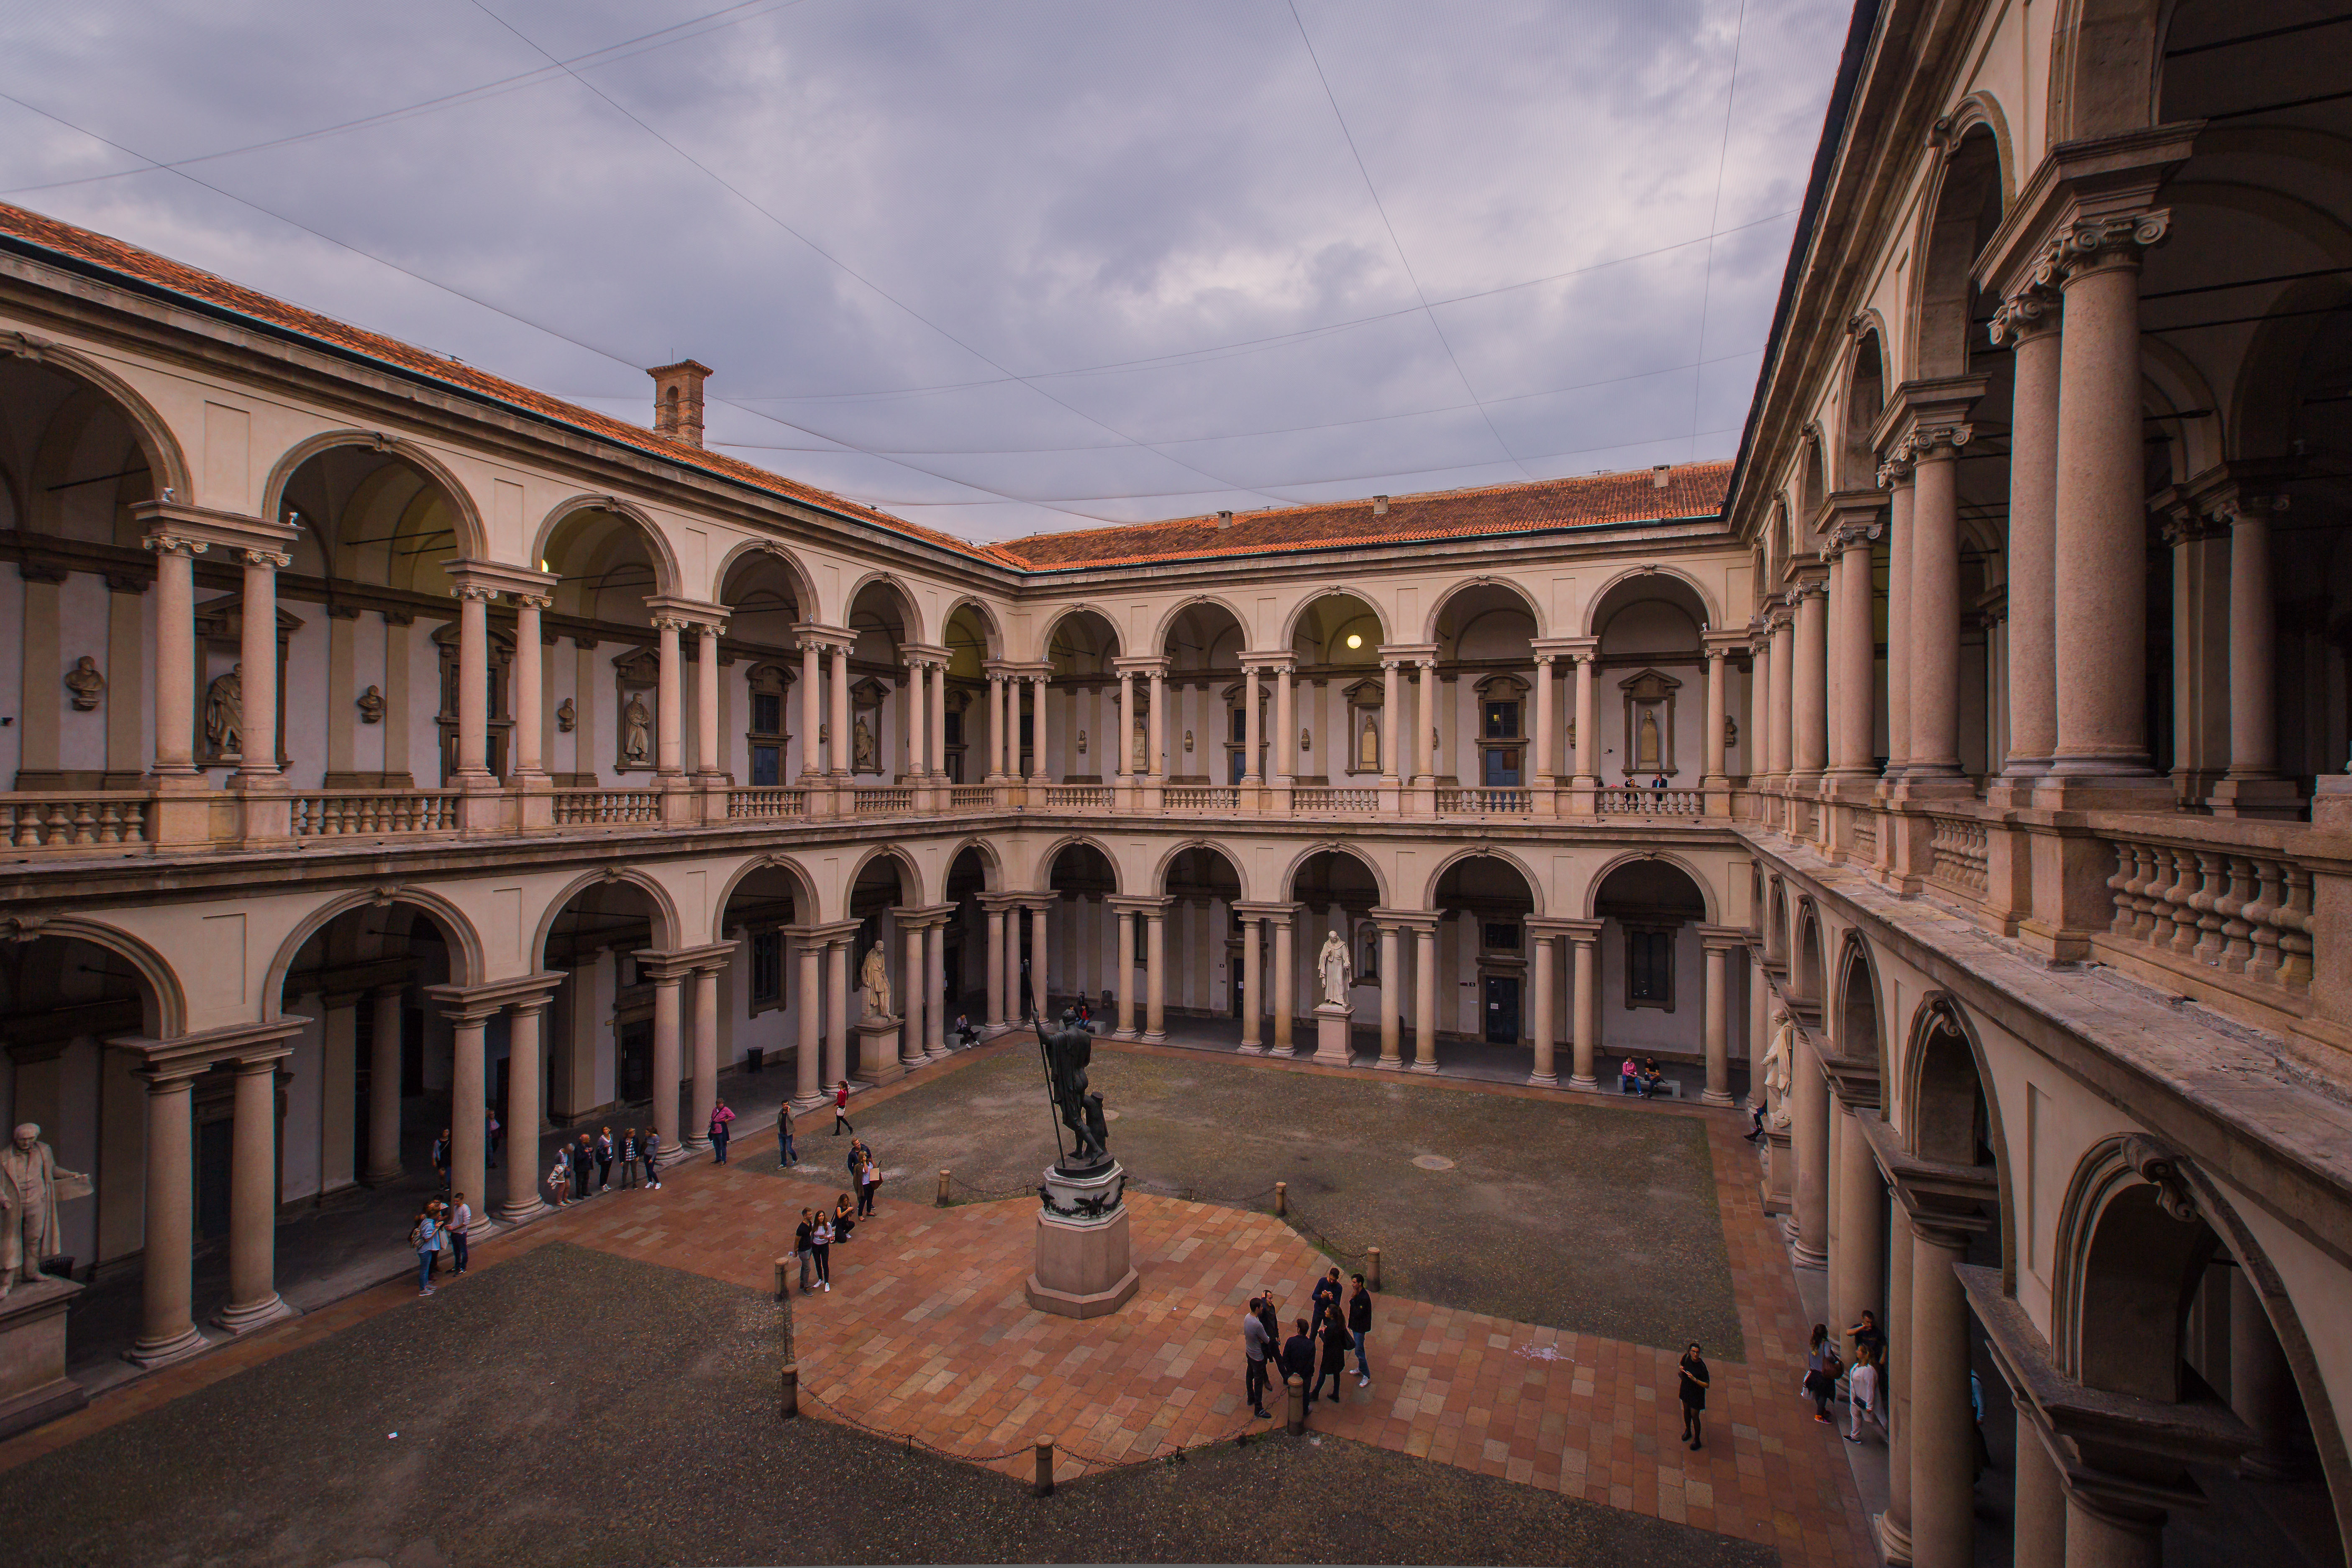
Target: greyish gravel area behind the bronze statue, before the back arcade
{"x":1596,"y":1219}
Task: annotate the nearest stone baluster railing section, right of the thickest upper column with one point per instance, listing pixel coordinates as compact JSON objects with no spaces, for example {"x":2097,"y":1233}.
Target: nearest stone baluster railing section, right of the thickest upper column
{"x":2245,"y":913}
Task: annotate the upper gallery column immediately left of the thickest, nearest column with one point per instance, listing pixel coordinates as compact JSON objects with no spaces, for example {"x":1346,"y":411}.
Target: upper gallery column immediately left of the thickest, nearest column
{"x":2031,"y":319}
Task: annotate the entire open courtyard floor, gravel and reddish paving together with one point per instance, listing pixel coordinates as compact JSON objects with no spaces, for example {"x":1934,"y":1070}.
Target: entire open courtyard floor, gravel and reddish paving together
{"x":603,"y":1386}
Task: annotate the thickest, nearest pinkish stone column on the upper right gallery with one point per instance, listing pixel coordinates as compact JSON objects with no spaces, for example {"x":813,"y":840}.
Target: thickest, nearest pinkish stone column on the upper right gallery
{"x":2102,"y":537}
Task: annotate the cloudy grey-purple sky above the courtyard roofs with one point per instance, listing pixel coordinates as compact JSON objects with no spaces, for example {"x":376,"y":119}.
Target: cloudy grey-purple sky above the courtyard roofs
{"x":994,"y":267}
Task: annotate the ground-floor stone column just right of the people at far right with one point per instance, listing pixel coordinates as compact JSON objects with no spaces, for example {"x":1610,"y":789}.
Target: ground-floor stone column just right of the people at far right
{"x":1944,"y":1421}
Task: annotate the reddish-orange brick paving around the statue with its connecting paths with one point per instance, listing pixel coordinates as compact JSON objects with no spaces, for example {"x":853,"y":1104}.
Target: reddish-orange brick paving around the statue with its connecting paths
{"x":928,"y":1334}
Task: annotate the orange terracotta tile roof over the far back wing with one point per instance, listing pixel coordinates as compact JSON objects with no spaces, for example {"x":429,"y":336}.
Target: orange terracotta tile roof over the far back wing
{"x":1692,"y":490}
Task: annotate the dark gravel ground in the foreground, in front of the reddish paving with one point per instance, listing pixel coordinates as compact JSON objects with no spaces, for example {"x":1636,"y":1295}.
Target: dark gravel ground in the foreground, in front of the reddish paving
{"x":582,"y":1409}
